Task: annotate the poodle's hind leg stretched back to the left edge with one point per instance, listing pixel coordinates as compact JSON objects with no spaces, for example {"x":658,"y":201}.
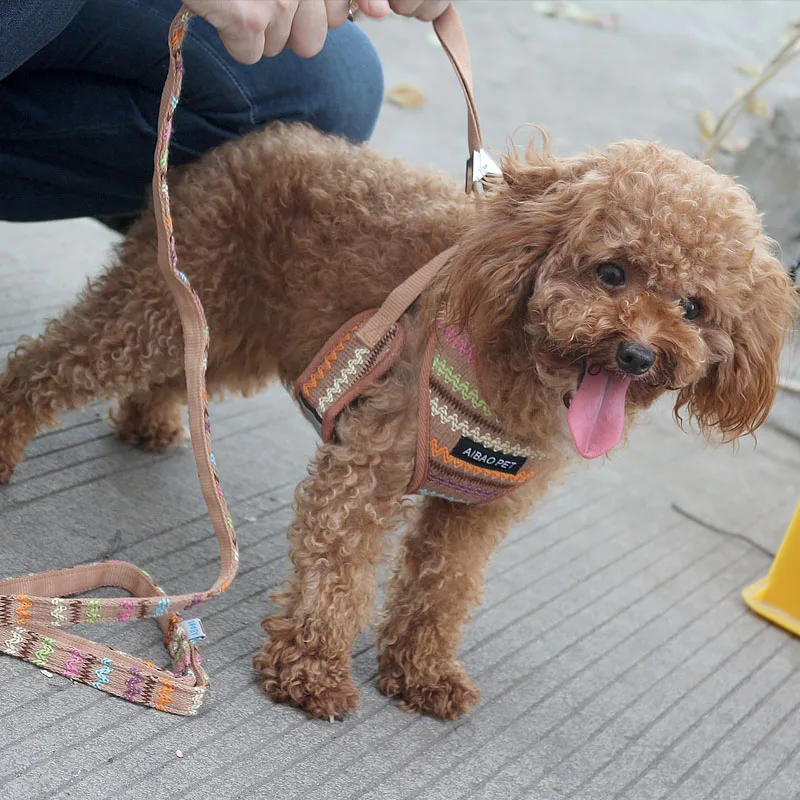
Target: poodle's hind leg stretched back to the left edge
{"x":122,"y":336}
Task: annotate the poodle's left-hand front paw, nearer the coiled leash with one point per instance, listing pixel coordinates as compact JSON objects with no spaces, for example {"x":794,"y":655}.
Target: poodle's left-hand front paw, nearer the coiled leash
{"x":288,"y":676}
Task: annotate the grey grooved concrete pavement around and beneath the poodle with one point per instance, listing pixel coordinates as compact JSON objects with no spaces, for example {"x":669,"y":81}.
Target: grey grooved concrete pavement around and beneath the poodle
{"x":614,"y":653}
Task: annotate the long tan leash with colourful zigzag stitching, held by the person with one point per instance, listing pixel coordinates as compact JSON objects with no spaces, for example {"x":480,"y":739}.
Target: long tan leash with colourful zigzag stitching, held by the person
{"x":35,"y":608}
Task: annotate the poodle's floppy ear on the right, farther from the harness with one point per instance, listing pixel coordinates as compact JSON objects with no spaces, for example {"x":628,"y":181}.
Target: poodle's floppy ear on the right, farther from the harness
{"x":737,"y":394}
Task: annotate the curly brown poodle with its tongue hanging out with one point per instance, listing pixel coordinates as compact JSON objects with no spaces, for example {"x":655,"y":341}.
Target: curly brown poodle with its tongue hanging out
{"x":632,"y":272}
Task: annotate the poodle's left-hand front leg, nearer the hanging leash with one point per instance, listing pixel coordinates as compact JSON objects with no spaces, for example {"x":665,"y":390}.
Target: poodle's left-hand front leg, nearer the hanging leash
{"x":342,"y":511}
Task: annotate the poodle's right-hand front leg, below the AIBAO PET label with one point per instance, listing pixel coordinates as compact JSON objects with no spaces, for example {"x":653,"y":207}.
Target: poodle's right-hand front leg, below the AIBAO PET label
{"x":438,"y":577}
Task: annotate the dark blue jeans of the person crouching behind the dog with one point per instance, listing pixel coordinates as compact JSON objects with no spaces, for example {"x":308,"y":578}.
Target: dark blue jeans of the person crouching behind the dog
{"x":80,"y":83}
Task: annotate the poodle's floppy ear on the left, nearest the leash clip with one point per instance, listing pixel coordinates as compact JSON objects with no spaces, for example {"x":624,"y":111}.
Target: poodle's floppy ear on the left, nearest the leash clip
{"x":519,"y":222}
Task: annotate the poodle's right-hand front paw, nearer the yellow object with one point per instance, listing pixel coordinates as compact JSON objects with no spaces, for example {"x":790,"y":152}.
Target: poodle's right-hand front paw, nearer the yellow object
{"x":446,"y":697}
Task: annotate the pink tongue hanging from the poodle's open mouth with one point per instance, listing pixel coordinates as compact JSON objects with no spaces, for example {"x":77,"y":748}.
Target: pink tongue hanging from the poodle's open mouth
{"x":596,"y":415}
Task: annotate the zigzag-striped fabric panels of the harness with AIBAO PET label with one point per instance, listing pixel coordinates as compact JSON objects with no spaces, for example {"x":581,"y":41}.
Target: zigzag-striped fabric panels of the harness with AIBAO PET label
{"x":464,"y":453}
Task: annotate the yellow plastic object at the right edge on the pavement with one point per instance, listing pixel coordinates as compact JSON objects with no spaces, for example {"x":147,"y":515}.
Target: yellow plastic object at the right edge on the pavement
{"x":777,"y":597}
